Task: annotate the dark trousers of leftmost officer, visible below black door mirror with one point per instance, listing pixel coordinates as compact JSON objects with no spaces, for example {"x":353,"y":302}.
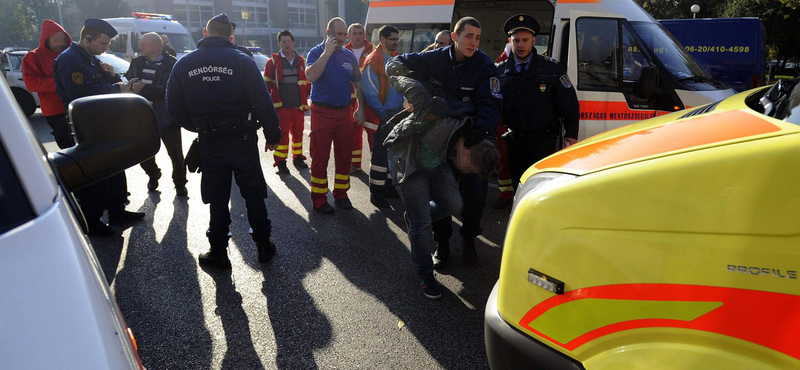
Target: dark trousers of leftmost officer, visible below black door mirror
{"x":109,"y":194}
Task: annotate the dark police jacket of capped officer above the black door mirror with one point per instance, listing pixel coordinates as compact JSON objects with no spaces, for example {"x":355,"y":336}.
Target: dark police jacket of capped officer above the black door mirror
{"x":78,"y":74}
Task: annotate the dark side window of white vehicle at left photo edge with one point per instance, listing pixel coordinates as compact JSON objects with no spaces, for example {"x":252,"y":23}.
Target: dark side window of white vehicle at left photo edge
{"x":15,"y":210}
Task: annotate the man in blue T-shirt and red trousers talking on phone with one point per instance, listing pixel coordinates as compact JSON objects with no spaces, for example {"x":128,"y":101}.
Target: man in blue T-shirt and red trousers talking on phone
{"x":331,"y":69}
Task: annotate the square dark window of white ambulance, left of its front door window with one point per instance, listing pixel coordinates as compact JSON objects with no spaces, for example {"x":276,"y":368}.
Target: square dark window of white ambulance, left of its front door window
{"x":598,"y":46}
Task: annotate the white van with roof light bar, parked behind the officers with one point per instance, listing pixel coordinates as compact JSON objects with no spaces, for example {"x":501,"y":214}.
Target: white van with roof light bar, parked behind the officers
{"x":126,"y":43}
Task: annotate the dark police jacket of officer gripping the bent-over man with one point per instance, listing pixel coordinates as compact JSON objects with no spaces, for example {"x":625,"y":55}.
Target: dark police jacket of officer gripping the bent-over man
{"x":474,"y":80}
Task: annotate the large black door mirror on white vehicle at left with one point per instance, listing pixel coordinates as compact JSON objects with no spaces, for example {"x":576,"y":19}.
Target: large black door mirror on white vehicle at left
{"x":113,"y":132}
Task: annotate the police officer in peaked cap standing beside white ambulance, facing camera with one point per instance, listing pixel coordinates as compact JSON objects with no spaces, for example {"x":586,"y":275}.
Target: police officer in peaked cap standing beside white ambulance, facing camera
{"x":538,"y":99}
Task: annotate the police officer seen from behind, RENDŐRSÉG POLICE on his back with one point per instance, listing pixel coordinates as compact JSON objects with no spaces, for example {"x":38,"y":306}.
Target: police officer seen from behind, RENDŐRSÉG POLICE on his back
{"x":211,"y":91}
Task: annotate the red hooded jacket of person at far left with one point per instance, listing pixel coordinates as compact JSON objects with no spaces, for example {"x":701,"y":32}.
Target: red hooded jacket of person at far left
{"x":37,"y":71}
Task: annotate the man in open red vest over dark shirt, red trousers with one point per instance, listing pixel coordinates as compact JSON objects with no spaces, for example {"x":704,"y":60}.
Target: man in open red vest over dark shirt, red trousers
{"x":285,"y":75}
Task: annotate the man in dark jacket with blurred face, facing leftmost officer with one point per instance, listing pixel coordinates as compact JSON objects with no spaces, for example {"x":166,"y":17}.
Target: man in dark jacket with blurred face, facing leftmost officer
{"x":149,"y":73}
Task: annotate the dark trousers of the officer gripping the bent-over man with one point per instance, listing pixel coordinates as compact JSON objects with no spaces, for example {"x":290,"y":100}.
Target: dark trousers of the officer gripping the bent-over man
{"x":473,"y":191}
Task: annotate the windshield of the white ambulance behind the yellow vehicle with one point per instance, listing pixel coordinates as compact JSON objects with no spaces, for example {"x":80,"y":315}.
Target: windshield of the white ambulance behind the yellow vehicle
{"x":669,"y":51}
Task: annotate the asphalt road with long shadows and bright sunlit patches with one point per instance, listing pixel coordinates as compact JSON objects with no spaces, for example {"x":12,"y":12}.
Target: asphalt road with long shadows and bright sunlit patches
{"x":340,"y":293}
